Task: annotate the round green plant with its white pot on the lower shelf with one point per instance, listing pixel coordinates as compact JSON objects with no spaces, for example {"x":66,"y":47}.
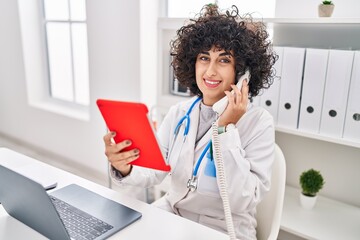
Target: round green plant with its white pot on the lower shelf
{"x":311,"y":181}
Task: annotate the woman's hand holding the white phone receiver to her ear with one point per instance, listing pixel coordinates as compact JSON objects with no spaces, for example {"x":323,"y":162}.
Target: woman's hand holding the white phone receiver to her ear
{"x":238,"y":101}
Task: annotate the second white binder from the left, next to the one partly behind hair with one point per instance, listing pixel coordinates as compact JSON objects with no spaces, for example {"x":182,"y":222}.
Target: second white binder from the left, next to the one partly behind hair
{"x":290,"y":87}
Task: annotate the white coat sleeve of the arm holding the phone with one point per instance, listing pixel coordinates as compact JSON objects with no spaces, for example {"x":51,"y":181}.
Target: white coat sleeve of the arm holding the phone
{"x":248,"y":153}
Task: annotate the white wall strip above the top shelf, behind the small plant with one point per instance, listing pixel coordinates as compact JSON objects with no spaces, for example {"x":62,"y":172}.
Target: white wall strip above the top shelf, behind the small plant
{"x":309,"y":8}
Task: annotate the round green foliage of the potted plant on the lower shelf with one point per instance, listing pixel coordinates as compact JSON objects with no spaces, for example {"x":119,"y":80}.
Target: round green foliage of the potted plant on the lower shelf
{"x":311,"y":181}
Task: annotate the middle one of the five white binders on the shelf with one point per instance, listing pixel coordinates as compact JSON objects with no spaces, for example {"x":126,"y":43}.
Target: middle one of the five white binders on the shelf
{"x":313,"y":89}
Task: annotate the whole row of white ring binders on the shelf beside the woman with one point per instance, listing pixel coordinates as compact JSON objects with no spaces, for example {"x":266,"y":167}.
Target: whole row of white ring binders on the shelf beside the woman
{"x":317,"y":91}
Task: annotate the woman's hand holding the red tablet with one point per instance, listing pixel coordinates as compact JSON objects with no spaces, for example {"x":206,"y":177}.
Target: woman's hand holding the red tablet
{"x":116,"y":155}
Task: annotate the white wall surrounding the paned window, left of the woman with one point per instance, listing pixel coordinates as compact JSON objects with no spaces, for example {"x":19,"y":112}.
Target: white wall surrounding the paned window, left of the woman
{"x":114,"y":63}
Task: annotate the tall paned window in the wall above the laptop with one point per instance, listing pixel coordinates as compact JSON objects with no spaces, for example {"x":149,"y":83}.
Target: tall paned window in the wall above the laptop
{"x":66,"y":50}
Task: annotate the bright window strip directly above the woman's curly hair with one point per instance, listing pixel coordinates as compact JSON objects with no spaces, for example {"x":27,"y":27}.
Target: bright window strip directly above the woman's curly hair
{"x":187,"y":8}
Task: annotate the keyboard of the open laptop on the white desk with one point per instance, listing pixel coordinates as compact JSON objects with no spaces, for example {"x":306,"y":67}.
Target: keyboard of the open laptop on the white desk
{"x":79,"y":224}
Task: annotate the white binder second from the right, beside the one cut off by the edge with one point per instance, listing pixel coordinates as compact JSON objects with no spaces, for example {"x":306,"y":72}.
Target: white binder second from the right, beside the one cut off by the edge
{"x":336,"y":92}
